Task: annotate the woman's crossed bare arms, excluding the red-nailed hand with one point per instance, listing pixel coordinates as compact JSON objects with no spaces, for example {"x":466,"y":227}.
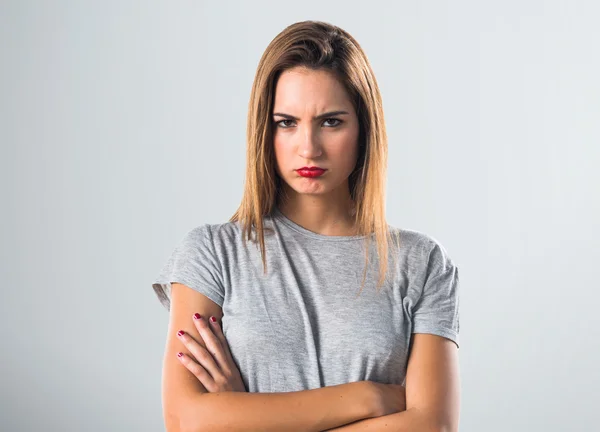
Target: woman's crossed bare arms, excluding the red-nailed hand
{"x":432,"y":390}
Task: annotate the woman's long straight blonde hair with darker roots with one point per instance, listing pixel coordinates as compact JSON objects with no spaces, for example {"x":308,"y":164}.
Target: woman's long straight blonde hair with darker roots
{"x":318,"y":45}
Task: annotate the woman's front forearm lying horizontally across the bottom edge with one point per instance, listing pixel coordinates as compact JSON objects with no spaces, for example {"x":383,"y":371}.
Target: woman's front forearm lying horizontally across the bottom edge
{"x":307,"y":410}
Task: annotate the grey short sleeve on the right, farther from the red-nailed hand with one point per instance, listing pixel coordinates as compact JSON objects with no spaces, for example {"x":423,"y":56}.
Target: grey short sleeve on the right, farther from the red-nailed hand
{"x":437,"y":309}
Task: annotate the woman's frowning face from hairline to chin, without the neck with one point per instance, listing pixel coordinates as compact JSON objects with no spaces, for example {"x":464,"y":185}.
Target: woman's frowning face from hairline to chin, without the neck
{"x":303,"y":140}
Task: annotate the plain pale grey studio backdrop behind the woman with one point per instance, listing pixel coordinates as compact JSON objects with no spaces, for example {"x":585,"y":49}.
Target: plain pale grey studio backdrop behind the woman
{"x":122,"y":126}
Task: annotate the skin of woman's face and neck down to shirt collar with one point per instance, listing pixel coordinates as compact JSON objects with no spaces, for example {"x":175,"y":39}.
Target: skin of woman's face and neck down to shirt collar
{"x":320,"y":204}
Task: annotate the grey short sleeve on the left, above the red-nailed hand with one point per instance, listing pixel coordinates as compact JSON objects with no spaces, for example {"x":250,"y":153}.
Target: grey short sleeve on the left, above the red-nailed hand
{"x":192,"y":263}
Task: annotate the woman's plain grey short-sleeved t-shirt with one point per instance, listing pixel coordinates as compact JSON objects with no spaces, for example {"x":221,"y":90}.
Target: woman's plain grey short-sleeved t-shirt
{"x":303,"y":325}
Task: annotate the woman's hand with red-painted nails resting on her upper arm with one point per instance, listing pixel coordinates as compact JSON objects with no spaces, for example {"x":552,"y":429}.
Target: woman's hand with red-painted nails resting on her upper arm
{"x":212,"y":363}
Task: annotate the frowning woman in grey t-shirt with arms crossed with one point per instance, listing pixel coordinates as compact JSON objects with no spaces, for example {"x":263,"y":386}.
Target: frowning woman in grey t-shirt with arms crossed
{"x":310,"y":311}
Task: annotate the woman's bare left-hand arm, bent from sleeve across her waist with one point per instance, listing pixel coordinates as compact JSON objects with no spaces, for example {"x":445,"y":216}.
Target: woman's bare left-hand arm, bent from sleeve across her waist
{"x":188,"y":406}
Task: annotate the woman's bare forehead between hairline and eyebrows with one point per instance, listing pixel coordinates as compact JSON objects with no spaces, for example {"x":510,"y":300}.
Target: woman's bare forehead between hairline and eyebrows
{"x":305,"y":88}
